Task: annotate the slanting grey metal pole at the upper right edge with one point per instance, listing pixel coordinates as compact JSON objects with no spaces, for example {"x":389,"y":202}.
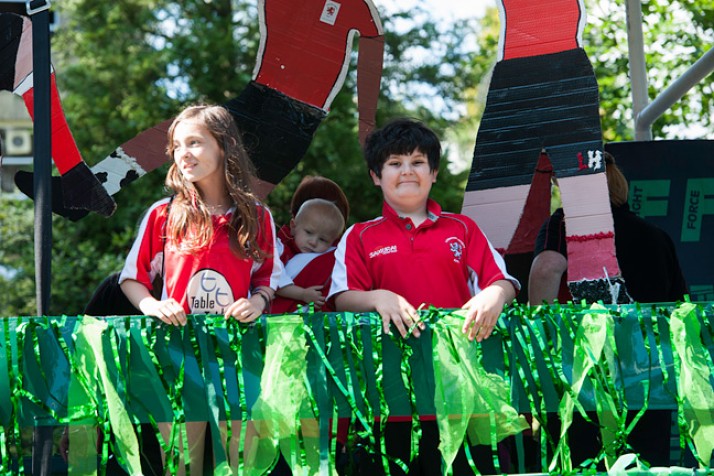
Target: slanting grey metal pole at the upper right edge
{"x":665,"y":100}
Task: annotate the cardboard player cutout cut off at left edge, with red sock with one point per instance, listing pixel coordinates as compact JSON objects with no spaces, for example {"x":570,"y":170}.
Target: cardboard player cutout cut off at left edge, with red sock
{"x":81,"y":189}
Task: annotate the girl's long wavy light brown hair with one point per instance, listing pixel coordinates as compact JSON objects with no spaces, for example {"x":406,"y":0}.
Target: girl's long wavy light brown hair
{"x":189,"y":225}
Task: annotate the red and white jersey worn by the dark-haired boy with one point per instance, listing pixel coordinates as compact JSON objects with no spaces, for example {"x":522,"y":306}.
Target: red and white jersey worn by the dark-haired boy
{"x":443,"y":262}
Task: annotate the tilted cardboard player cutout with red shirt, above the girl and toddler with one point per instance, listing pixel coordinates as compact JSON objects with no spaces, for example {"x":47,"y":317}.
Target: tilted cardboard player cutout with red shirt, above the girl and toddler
{"x":301,"y":66}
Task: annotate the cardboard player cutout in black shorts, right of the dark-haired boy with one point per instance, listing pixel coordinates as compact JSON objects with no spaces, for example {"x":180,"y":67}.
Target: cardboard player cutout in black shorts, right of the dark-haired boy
{"x":543,"y":97}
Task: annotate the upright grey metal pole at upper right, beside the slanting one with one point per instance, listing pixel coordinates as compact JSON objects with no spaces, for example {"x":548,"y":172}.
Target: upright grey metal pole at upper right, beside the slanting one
{"x":638,"y":68}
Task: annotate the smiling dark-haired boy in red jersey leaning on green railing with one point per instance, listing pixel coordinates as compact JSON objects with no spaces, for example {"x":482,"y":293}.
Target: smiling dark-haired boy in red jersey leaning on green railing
{"x":416,"y":254}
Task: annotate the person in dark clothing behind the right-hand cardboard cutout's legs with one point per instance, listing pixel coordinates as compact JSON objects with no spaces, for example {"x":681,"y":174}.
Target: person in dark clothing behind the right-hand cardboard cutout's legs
{"x":649,"y":265}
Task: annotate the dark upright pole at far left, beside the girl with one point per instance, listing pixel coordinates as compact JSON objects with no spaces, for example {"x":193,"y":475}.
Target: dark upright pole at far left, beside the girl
{"x":39,"y":12}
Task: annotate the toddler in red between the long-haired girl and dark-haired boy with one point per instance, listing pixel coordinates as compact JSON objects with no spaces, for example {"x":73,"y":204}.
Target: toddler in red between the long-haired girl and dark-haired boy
{"x":316,"y":226}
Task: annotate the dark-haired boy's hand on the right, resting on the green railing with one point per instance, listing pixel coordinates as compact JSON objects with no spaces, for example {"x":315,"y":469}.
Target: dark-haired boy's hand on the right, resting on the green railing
{"x":485,"y":308}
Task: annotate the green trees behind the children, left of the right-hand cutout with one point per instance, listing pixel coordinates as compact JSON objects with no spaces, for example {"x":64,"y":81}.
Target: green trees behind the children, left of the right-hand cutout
{"x":125,"y":66}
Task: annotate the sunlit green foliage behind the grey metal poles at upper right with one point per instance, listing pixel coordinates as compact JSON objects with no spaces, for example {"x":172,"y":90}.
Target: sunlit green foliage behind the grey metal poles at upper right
{"x":676,"y":34}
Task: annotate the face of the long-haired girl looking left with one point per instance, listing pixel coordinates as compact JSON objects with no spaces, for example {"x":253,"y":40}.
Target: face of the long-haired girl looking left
{"x":198,"y":156}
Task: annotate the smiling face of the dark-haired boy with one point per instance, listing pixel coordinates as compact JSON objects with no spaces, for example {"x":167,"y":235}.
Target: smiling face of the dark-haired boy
{"x":406,"y":181}
